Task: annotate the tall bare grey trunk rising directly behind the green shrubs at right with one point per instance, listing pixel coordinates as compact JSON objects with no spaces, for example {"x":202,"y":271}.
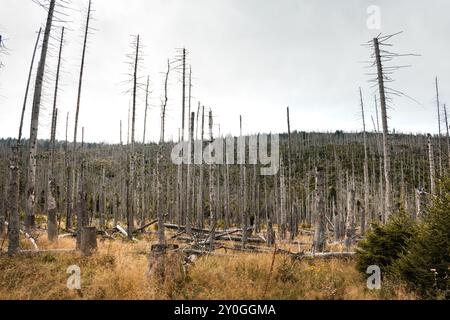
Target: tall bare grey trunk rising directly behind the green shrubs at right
{"x":386,"y":146}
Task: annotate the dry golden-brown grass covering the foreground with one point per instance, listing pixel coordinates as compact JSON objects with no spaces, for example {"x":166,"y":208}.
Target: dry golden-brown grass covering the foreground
{"x":118,"y":270}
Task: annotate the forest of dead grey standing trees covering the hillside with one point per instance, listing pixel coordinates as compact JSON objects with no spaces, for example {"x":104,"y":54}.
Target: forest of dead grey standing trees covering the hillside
{"x":329,"y":189}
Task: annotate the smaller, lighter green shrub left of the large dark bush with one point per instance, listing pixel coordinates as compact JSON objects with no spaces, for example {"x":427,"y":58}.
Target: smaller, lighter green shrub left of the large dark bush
{"x":385,"y":243}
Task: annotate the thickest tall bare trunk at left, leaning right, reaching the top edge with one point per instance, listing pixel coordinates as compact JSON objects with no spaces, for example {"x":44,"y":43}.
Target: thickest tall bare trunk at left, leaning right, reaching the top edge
{"x":31,"y":181}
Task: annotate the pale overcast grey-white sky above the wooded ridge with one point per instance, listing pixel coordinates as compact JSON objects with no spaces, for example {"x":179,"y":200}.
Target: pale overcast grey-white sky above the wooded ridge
{"x":249,"y":57}
